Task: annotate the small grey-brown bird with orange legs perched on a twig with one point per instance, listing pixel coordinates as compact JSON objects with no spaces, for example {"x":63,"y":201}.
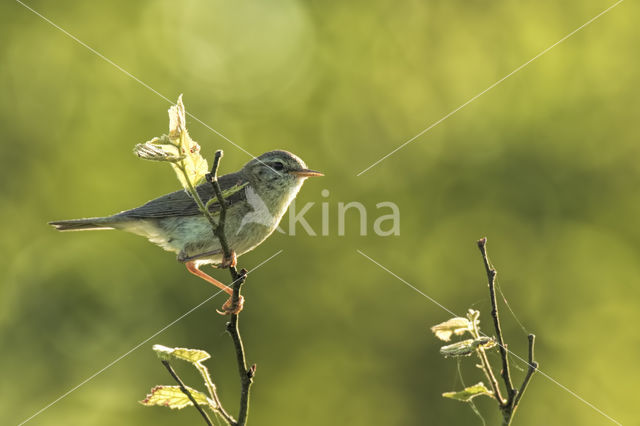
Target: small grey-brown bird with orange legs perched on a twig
{"x":257,"y":197}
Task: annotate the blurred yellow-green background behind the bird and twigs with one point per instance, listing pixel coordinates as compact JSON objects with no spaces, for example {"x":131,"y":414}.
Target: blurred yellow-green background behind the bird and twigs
{"x":545,"y":165}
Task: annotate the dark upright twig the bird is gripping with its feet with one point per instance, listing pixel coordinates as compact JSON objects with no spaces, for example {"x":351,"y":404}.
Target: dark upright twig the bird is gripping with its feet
{"x":246,"y":374}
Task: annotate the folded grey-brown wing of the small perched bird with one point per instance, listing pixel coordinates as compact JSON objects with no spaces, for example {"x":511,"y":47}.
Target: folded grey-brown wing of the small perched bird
{"x":180,"y":203}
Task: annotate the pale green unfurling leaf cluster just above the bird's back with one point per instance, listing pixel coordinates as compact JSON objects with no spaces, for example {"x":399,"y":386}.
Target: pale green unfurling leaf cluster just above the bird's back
{"x":177,"y":148}
